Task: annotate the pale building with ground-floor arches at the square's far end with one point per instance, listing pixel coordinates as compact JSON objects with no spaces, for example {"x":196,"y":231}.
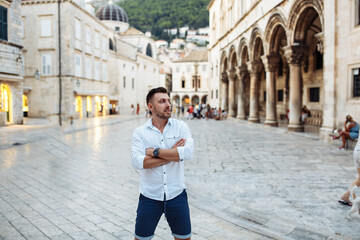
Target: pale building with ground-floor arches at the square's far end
{"x":190,"y":79}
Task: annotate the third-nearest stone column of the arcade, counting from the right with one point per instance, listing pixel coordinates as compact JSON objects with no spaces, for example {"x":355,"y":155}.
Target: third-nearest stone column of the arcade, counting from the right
{"x":255,"y":74}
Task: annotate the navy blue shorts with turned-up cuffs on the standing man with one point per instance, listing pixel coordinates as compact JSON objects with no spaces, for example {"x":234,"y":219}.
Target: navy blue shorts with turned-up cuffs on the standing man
{"x":176,"y":211}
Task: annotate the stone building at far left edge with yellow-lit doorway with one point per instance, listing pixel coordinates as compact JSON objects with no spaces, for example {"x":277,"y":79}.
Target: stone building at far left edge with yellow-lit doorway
{"x":11,"y":68}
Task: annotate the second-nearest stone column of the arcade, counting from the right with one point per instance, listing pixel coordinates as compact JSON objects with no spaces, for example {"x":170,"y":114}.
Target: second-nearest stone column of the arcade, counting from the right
{"x":271,"y":63}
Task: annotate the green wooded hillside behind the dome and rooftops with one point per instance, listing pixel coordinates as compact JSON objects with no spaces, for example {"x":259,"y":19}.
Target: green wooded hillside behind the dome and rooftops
{"x":156,"y":15}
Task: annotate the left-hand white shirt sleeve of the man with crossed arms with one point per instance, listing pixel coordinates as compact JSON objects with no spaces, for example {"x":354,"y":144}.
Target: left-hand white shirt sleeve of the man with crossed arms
{"x":137,"y":150}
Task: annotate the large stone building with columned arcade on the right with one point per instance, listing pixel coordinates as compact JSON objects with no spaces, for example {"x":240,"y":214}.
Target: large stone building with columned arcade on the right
{"x":267,"y":57}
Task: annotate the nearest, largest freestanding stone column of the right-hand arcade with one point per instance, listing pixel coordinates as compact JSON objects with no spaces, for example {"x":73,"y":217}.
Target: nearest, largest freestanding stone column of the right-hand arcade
{"x":295,"y":55}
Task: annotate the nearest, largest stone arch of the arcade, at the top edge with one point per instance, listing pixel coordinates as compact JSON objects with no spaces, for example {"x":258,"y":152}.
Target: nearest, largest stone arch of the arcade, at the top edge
{"x":301,"y":15}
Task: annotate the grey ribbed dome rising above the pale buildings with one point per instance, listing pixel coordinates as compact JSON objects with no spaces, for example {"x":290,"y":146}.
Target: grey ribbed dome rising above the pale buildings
{"x":112,"y":12}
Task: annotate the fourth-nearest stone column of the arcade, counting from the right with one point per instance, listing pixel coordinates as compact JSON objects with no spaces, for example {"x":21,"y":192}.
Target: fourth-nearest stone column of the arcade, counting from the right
{"x":242,"y":73}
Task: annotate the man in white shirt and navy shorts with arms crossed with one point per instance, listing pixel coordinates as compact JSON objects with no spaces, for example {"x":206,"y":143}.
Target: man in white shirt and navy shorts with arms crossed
{"x":159,"y":149}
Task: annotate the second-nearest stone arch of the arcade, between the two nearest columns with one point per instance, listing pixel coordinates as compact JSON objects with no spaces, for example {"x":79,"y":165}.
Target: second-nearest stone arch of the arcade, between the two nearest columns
{"x":276,"y":23}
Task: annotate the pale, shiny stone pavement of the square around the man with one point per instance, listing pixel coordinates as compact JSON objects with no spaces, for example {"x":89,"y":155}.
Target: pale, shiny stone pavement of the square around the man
{"x":246,"y":181}
